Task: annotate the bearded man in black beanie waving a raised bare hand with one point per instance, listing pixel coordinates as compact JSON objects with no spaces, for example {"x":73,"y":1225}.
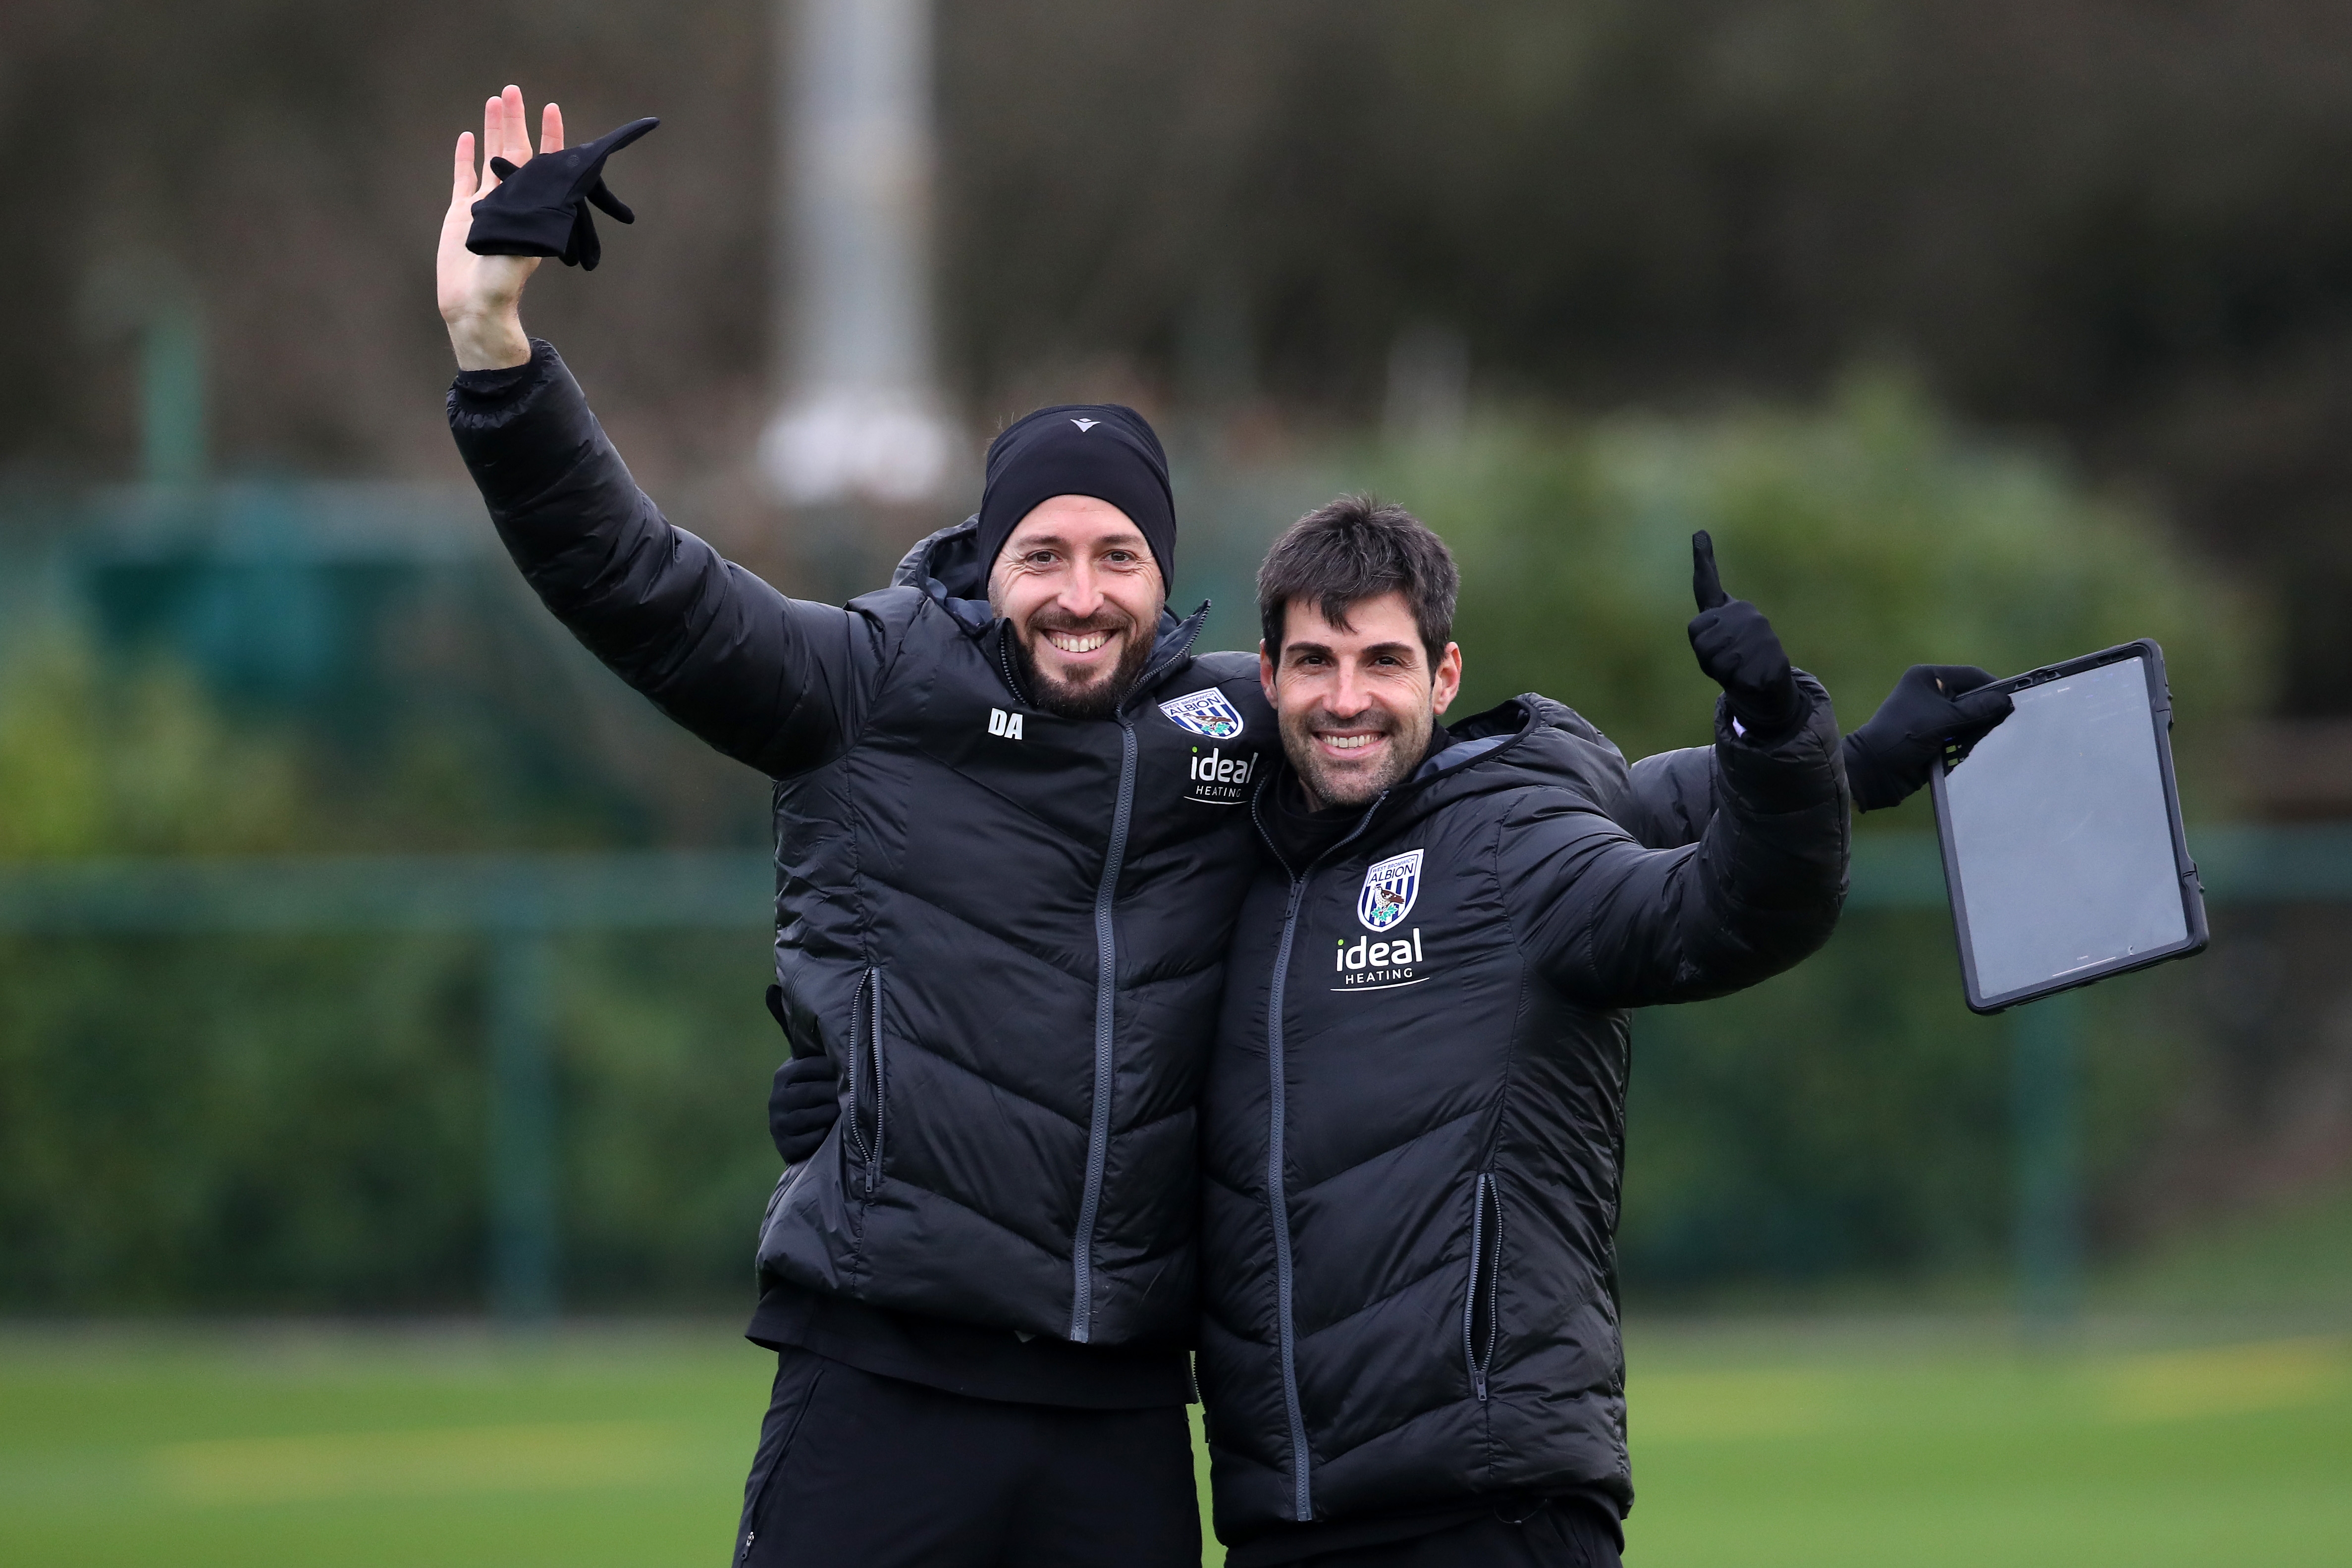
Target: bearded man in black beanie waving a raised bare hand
{"x":1013,"y":836}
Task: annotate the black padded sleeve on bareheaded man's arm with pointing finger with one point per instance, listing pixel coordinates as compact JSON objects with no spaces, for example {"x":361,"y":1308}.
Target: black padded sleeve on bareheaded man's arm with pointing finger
{"x":1619,"y":925}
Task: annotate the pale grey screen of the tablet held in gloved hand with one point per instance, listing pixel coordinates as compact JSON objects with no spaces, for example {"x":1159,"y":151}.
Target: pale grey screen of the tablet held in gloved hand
{"x":2064,"y":836}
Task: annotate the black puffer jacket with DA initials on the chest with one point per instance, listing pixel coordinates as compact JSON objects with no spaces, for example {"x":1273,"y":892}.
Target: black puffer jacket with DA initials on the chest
{"x":1008,"y":927}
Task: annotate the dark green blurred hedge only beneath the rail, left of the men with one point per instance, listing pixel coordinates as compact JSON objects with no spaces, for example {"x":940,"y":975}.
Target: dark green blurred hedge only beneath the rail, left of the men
{"x":300,"y":1125}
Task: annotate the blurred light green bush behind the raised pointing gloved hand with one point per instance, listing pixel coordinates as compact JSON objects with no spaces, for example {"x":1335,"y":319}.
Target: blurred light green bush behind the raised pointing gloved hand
{"x":1873,"y":535}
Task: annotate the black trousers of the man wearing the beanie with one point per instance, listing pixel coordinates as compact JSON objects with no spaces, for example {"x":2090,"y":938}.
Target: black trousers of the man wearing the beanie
{"x":874,"y":1473}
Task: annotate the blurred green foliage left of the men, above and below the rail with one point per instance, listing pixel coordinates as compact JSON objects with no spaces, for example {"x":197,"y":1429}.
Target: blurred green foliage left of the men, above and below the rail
{"x":267,"y":1123}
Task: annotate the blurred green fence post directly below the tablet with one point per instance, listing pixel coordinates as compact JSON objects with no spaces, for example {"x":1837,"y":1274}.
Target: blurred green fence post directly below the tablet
{"x":2045,"y":1087}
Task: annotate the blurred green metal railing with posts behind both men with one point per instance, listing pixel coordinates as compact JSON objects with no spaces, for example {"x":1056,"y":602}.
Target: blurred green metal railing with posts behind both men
{"x":519,"y":904}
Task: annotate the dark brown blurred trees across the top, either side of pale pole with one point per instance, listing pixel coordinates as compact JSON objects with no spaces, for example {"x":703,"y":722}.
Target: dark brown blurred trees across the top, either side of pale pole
{"x":2085,"y":215}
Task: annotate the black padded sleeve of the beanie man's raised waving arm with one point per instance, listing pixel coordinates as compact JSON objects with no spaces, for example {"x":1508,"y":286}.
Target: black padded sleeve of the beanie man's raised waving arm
{"x":768,"y":681}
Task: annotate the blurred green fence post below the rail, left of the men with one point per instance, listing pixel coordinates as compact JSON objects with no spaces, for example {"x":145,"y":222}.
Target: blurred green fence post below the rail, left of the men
{"x":521,"y":1130}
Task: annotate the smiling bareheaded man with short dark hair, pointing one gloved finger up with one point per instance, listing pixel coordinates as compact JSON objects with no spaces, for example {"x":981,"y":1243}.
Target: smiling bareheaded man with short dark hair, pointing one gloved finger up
{"x":1412,"y":1132}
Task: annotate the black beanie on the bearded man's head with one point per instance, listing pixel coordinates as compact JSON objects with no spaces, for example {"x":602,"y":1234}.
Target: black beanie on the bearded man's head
{"x":1081,"y":450}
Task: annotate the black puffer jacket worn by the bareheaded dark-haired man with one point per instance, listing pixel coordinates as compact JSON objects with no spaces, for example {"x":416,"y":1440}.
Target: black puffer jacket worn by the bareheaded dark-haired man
{"x":1415,"y":1115}
